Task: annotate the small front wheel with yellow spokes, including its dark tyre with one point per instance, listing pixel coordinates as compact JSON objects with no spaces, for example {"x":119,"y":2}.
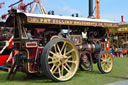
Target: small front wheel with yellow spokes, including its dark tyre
{"x":105,"y":62}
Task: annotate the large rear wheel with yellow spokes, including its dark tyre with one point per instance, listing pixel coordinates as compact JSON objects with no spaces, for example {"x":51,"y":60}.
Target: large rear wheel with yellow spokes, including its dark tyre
{"x":60,"y":60}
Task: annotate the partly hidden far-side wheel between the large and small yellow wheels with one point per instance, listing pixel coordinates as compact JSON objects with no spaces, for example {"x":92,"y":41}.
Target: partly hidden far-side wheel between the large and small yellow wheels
{"x":85,"y":63}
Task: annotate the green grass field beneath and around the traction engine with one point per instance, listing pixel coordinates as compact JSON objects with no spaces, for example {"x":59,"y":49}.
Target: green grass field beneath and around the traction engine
{"x":119,"y":72}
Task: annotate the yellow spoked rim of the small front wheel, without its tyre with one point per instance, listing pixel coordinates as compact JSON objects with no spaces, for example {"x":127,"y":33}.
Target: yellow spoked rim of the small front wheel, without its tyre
{"x":106,"y":62}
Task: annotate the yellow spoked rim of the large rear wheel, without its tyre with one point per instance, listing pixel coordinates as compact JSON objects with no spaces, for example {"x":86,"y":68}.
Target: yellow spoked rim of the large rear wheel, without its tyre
{"x":62,"y":63}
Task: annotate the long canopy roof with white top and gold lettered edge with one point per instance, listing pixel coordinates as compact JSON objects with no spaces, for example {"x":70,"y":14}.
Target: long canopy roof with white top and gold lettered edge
{"x":68,"y":20}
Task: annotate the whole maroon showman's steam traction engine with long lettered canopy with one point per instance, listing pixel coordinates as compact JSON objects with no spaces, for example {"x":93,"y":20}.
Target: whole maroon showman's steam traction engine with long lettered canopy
{"x":51,"y":44}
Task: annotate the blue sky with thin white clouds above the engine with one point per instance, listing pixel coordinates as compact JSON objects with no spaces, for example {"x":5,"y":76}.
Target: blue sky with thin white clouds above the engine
{"x":109,"y":9}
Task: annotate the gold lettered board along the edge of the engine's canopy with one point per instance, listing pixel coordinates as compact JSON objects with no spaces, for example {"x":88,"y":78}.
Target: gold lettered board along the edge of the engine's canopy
{"x":69,"y":22}
